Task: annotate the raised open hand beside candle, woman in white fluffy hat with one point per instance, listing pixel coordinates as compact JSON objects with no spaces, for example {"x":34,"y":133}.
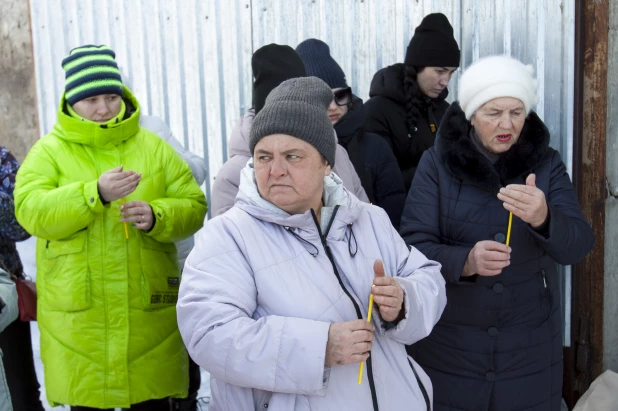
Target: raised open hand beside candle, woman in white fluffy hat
{"x":525,"y":201}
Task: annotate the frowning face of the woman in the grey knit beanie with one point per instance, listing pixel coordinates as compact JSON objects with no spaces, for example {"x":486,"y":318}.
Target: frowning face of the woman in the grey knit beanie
{"x":289,"y":173}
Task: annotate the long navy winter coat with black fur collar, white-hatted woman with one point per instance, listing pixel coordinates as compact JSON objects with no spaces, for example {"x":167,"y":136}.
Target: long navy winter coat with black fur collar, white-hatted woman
{"x":498,"y":343}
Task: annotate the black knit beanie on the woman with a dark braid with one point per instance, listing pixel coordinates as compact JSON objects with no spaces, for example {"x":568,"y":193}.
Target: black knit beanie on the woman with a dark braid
{"x":433,"y":44}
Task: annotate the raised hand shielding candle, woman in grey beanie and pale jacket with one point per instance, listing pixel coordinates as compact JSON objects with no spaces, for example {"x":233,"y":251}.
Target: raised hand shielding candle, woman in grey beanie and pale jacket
{"x":387,"y":293}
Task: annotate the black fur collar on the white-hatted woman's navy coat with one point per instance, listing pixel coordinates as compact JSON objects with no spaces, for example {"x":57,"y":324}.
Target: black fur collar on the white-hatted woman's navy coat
{"x":457,"y":152}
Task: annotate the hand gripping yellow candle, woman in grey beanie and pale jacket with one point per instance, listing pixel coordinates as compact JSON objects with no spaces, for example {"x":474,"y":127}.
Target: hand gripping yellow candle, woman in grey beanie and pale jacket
{"x":349,"y":342}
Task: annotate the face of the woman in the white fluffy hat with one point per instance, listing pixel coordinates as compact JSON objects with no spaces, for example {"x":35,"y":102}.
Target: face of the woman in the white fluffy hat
{"x":498,"y":123}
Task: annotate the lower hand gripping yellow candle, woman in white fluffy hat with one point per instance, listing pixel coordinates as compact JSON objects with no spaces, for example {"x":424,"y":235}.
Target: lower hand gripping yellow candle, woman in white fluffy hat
{"x":487,"y":258}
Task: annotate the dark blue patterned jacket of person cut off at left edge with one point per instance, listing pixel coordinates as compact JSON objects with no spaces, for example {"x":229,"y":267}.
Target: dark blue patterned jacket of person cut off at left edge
{"x":10,"y":230}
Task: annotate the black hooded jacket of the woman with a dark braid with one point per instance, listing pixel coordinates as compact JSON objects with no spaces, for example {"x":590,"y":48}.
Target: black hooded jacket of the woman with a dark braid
{"x":385,"y":114}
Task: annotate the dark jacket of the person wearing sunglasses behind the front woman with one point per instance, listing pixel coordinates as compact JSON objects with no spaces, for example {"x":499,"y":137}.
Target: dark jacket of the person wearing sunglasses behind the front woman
{"x":373,"y":161}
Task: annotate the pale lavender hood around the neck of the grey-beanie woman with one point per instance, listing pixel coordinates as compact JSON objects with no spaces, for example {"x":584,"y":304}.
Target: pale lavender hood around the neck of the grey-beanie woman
{"x":250,"y":201}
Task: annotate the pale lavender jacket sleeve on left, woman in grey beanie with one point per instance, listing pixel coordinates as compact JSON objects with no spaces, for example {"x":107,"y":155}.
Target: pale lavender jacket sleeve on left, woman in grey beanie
{"x":218,"y":317}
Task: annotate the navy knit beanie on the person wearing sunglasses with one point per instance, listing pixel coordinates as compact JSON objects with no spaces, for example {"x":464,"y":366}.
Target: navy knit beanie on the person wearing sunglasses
{"x":319,"y":63}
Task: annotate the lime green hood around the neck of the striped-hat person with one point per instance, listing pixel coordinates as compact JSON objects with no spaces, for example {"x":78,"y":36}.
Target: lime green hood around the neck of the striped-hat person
{"x":92,"y":134}
